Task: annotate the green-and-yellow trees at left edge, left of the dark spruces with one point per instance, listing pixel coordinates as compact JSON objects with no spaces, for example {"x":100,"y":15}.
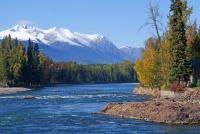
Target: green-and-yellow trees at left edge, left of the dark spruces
{"x":12,"y":60}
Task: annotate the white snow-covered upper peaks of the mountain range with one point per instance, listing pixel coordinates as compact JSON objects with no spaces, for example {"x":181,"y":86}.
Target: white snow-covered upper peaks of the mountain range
{"x":24,"y":32}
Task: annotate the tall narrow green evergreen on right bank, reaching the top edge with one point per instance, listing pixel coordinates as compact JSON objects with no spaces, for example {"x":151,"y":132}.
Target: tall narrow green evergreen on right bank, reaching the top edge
{"x":180,"y":69}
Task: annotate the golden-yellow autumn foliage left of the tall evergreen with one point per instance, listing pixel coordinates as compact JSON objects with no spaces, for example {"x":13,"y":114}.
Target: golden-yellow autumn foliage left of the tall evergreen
{"x":153,"y":68}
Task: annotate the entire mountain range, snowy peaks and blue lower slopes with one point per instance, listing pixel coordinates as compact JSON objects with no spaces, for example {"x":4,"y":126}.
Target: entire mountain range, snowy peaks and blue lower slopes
{"x":63,"y":45}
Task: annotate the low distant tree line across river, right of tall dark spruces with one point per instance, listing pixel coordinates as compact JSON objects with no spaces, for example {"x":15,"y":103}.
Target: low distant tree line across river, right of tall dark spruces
{"x":71,"y":72}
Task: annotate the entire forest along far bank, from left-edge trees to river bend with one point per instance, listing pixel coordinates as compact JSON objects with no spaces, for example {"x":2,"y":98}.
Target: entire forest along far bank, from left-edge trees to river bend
{"x":28,"y":66}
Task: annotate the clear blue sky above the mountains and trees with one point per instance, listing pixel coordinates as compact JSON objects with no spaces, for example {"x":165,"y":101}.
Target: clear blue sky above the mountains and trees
{"x":118,"y":20}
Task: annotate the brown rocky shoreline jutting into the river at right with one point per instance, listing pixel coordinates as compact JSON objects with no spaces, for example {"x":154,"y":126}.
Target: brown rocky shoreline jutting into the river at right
{"x":165,"y":107}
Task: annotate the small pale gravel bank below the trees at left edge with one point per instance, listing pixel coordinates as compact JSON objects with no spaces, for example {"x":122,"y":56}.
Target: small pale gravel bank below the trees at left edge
{"x":12,"y":90}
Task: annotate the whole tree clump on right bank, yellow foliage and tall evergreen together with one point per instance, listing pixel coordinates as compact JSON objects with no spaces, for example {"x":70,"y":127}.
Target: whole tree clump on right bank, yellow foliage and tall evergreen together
{"x":167,"y":60}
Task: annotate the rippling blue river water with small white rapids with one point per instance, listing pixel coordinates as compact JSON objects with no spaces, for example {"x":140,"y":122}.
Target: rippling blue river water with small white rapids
{"x":70,"y":108}
